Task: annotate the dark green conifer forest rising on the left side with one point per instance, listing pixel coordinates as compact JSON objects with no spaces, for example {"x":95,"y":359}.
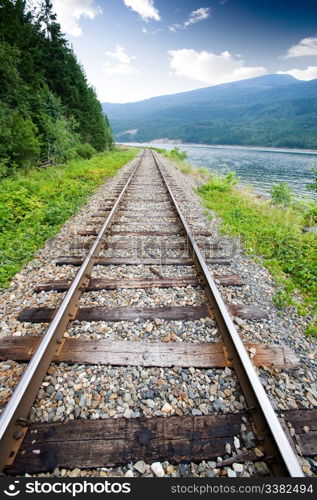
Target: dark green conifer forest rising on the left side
{"x":48,"y":111}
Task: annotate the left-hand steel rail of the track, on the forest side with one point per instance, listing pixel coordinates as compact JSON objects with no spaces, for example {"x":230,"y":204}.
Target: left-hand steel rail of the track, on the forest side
{"x":13,"y":419}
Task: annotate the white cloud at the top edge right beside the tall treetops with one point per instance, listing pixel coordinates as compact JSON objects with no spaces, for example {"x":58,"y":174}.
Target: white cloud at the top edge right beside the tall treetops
{"x":69,"y":13}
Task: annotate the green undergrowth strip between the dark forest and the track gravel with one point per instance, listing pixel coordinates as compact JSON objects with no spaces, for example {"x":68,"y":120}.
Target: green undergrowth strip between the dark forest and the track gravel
{"x":35,"y":204}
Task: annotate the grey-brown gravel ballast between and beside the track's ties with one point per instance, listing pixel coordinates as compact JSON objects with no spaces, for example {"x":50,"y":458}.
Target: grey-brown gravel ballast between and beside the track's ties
{"x":93,"y":391}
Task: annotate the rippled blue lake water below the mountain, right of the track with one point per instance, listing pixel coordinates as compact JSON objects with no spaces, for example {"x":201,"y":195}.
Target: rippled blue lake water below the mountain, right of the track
{"x":260,"y":167}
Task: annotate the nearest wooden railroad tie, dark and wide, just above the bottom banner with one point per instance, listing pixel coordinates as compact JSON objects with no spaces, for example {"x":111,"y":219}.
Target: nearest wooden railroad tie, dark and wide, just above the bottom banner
{"x":111,"y":442}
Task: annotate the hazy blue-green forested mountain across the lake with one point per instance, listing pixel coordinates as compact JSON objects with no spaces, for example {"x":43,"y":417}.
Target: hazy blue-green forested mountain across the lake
{"x":271,"y":110}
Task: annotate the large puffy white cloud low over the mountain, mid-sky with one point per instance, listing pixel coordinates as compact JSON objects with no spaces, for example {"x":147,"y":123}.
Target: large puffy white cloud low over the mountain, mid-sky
{"x":210,"y":68}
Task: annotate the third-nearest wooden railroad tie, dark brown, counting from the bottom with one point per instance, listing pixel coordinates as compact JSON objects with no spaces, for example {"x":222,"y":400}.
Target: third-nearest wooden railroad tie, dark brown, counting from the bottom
{"x":171,"y":313}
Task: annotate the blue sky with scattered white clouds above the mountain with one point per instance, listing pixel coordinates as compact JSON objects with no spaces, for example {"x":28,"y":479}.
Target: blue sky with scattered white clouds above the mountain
{"x":136,"y":49}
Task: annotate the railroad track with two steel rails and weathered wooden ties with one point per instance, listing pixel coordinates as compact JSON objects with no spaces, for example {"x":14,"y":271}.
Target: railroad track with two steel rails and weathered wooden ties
{"x":143,"y":225}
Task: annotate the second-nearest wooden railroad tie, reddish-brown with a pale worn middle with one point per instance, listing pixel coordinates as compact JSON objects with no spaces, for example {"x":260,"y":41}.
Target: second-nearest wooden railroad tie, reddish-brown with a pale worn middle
{"x":162,"y":354}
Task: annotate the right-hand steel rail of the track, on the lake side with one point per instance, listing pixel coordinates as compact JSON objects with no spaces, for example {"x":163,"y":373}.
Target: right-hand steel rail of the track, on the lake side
{"x":283,"y":460}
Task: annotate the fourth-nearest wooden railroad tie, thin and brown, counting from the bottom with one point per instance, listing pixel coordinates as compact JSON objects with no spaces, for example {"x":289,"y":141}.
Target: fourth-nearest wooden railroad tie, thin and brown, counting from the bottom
{"x":113,"y":284}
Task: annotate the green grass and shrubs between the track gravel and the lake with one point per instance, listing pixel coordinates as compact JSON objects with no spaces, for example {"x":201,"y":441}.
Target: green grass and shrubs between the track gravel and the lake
{"x":274,"y":232}
